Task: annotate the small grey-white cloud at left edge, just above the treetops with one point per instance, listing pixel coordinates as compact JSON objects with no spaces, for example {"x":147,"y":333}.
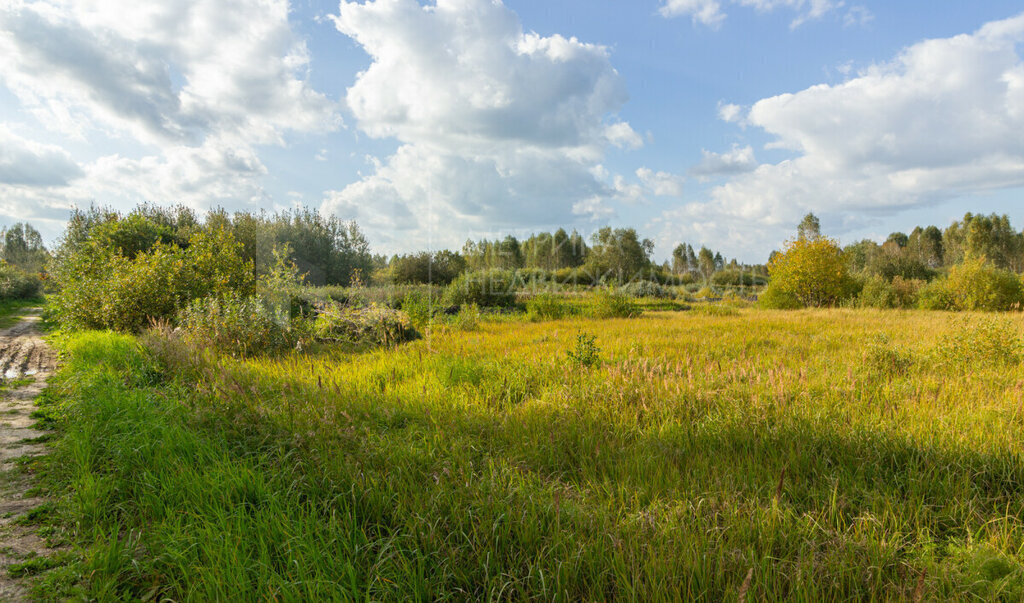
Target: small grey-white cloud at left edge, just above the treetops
{"x":31,"y":164}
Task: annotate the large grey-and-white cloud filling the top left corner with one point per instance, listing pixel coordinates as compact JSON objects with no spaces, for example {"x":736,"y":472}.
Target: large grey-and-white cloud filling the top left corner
{"x":167,"y":72}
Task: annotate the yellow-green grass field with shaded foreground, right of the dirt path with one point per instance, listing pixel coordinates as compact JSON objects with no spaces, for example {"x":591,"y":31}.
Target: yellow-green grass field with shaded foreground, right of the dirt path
{"x":743,"y":454}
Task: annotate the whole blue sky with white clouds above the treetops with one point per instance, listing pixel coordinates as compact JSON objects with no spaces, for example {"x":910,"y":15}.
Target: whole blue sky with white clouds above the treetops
{"x":432,"y":122}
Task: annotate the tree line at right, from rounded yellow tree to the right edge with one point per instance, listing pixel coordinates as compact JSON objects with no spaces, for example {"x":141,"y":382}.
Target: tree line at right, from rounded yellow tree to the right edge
{"x":974,"y":265}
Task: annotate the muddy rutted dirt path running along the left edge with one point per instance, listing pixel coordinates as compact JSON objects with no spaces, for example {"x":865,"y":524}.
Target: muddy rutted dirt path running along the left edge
{"x":26,"y":362}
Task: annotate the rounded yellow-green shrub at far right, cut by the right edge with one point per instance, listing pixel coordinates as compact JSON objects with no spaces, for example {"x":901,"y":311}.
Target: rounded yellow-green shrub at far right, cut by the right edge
{"x":975,"y":285}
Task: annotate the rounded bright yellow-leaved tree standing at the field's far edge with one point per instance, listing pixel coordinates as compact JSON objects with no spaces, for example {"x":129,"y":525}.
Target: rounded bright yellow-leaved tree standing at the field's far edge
{"x":812,"y":272}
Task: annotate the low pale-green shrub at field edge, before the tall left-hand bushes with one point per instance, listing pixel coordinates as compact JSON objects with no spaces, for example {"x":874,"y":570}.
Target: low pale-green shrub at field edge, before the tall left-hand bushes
{"x":235,"y":325}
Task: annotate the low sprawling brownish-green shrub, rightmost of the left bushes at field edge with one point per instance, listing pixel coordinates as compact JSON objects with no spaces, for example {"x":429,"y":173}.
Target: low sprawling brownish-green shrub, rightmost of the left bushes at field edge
{"x":373,"y":325}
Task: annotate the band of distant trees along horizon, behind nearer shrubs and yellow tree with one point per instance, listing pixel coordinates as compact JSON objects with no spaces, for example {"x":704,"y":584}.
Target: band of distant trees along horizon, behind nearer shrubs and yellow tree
{"x":329,"y":251}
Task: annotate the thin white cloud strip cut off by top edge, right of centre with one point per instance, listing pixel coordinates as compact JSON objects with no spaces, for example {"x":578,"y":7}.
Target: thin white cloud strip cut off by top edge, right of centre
{"x":711,"y":14}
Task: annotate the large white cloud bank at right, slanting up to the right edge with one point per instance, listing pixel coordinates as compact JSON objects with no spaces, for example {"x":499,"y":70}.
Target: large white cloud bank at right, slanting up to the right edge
{"x":942,"y":120}
